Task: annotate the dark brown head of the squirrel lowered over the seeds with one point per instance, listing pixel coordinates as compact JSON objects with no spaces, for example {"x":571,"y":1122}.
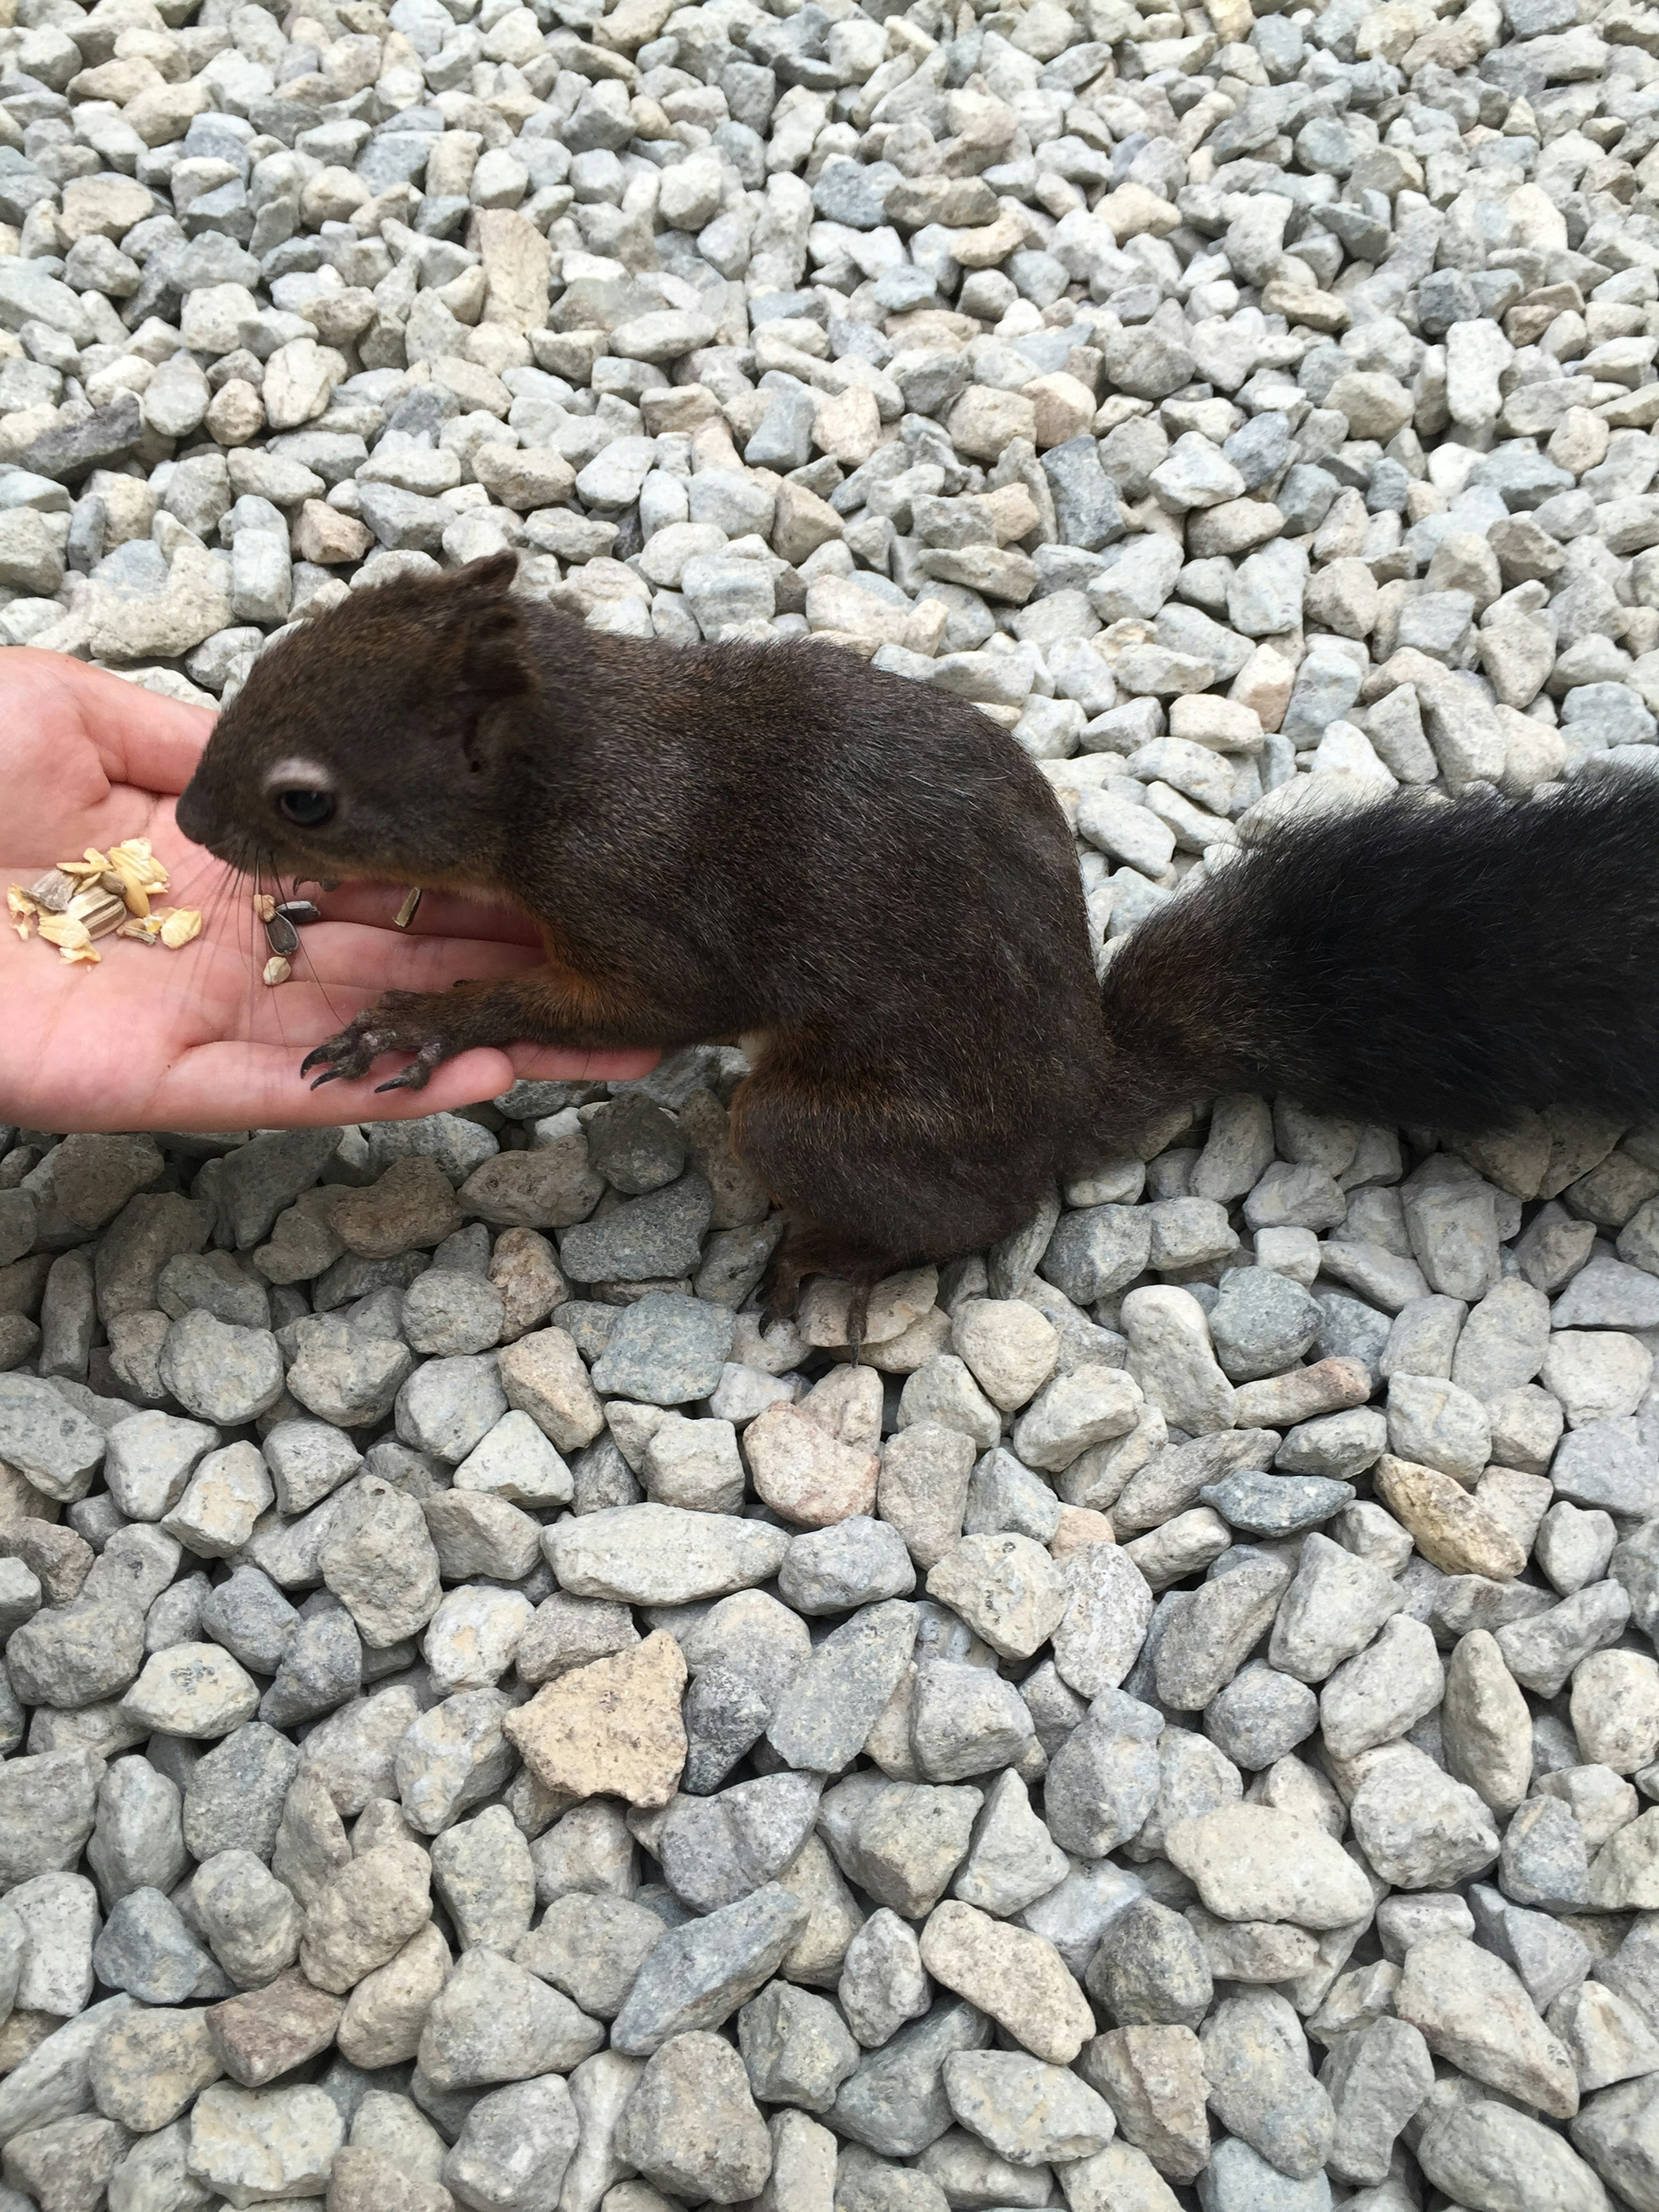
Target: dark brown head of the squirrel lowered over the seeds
{"x":375,"y":740}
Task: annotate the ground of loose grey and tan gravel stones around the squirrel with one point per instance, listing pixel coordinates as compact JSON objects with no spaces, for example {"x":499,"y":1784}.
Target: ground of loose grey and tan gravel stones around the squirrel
{"x":488,"y":1724}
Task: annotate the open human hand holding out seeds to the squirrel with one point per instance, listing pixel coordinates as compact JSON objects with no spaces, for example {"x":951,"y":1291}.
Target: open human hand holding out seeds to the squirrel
{"x":194,"y":1039}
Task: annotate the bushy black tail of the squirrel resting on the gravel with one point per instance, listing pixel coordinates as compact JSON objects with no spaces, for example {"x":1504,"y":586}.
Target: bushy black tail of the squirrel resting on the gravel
{"x":1419,"y":961}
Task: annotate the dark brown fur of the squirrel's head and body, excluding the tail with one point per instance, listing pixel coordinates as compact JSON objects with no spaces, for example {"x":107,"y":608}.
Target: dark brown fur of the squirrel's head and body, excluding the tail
{"x":713,"y":842}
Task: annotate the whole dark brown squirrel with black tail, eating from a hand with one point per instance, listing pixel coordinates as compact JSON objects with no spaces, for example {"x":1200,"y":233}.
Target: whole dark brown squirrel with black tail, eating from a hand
{"x":877,"y":890}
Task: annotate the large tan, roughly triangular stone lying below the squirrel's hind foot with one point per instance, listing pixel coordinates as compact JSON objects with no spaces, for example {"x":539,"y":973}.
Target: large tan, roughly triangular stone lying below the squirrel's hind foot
{"x":612,"y":1729}
